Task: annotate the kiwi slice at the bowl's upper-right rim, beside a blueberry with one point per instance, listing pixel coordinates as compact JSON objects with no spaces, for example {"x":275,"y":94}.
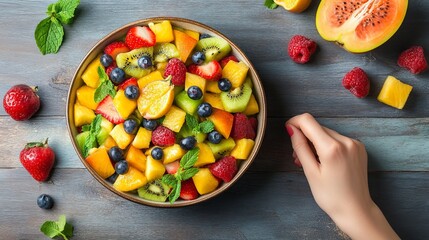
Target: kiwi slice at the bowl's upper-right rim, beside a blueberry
{"x":214,"y":48}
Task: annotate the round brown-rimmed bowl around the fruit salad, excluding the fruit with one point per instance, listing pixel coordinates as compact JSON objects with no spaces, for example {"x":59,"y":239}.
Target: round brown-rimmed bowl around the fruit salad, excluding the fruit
{"x":186,"y":24}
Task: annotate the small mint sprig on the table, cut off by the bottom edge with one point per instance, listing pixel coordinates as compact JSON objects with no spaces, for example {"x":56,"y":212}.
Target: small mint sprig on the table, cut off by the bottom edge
{"x":59,"y":228}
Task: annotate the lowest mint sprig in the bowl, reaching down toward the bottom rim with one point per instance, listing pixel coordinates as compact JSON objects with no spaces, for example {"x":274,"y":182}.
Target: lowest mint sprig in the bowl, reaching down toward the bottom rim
{"x":185,"y":171}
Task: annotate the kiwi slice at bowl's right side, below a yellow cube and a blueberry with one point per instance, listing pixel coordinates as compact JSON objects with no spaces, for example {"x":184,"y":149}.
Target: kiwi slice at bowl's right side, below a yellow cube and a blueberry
{"x":237,"y":99}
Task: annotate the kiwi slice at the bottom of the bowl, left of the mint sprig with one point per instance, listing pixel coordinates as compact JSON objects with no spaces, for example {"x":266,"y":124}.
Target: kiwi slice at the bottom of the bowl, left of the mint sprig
{"x":154,"y":191}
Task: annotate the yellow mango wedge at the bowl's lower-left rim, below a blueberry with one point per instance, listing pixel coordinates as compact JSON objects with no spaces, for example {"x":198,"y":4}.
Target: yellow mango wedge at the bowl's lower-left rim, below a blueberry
{"x":130,"y":181}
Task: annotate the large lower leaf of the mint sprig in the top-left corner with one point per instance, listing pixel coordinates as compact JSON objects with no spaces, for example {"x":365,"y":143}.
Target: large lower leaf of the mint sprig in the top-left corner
{"x":49,"y":35}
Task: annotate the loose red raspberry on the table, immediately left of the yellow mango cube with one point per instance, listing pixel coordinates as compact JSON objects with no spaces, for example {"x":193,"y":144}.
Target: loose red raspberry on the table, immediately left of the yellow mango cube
{"x":357,"y":82}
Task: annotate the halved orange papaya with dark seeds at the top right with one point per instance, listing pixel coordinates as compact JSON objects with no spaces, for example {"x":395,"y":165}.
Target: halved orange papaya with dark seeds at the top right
{"x":360,"y":25}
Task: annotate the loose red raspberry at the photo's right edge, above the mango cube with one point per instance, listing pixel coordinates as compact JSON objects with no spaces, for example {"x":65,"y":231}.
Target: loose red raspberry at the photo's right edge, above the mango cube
{"x":413,"y":59}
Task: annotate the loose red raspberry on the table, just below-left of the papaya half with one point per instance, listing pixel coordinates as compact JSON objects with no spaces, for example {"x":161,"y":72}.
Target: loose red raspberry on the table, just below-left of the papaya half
{"x":301,"y":48}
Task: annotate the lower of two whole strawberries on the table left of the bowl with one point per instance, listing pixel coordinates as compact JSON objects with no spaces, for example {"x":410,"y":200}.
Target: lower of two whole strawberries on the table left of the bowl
{"x":38,"y":159}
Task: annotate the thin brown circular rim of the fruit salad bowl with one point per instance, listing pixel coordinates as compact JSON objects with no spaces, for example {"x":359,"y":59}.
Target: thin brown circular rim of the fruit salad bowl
{"x":262,"y":115}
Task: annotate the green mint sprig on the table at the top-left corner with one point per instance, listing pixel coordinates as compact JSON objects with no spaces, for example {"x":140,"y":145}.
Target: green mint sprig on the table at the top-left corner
{"x":49,"y":32}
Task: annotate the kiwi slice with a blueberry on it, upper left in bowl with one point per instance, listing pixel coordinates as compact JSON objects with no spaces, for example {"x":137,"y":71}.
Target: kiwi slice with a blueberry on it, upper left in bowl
{"x":128,"y":62}
